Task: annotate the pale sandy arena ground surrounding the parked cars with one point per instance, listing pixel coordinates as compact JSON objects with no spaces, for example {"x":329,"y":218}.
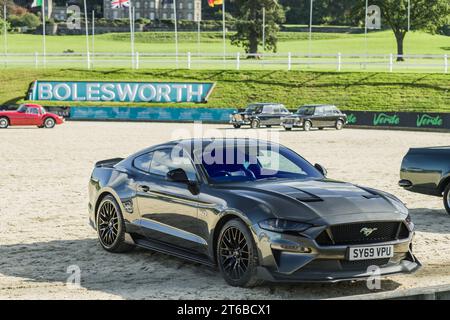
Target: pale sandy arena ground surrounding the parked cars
{"x":43,"y":210}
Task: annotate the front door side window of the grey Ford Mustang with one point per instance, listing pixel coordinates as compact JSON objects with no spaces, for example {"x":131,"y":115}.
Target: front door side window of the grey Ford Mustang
{"x":163,"y":161}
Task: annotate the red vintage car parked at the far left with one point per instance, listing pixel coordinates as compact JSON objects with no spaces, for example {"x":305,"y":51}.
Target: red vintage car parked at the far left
{"x":29,"y":115}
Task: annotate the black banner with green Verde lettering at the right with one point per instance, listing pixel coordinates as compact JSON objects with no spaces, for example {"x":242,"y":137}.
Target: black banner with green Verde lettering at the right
{"x":399,"y":119}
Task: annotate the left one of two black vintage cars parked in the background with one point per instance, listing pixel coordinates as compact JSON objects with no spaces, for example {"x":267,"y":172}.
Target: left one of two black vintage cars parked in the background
{"x":258,"y":114}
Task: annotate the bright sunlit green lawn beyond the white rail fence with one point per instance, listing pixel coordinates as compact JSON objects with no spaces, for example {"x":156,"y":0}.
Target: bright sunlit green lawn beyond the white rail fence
{"x":296,"y":42}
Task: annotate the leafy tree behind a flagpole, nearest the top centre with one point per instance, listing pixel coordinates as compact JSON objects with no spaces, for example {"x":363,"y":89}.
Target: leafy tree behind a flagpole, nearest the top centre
{"x":249,"y":22}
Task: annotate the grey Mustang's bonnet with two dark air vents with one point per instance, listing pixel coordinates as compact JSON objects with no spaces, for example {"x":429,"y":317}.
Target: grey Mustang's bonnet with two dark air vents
{"x":325,"y":200}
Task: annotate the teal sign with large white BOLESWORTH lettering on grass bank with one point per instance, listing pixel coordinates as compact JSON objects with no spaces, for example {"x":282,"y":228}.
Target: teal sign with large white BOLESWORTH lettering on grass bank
{"x":94,"y":91}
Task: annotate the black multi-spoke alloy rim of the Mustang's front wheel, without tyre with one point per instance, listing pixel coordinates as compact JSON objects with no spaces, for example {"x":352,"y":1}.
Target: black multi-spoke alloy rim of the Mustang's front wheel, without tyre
{"x":234,"y":253}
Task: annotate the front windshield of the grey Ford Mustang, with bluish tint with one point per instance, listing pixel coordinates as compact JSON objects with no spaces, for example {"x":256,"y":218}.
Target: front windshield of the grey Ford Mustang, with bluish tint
{"x":245,"y":162}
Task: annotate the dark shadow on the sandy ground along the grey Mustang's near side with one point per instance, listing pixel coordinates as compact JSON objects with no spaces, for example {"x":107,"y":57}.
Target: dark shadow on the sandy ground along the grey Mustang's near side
{"x":145,"y":274}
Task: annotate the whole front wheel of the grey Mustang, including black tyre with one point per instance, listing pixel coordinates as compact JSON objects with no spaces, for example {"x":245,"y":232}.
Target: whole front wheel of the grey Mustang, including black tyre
{"x":237,"y":265}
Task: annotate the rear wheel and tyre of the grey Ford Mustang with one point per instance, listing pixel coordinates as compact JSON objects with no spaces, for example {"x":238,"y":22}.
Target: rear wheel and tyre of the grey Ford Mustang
{"x":111,"y":226}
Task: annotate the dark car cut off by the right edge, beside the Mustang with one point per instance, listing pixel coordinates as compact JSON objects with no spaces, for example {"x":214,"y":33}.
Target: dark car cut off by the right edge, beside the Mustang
{"x":427,"y":171}
